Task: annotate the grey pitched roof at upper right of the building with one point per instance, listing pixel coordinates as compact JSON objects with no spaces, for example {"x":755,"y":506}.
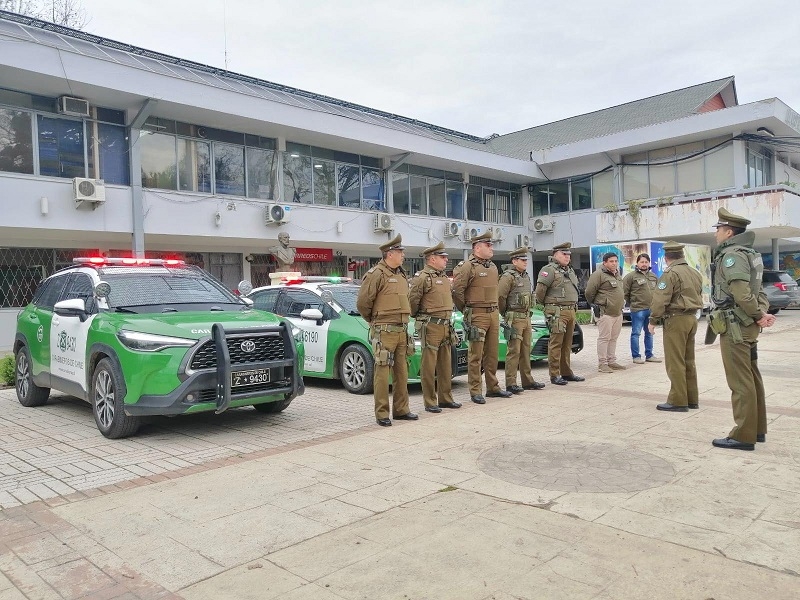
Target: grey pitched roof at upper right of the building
{"x":632,"y":115}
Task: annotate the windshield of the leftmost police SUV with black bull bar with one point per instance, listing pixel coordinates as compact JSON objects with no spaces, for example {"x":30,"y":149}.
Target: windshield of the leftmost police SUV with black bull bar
{"x":159,"y":286}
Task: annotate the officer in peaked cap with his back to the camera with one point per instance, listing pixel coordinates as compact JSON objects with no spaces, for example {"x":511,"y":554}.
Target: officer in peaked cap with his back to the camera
{"x":677,"y":298}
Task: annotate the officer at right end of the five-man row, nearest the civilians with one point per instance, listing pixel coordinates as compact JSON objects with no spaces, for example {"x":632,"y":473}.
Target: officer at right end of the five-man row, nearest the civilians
{"x":557,"y":290}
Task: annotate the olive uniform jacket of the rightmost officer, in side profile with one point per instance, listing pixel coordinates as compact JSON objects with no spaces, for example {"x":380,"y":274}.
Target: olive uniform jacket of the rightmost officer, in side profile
{"x":737,"y":276}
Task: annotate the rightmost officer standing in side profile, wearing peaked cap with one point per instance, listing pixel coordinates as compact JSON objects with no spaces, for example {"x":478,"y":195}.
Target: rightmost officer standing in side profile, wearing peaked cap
{"x":740,"y":310}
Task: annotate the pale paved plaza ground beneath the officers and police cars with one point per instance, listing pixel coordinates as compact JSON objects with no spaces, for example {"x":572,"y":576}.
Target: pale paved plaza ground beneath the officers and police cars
{"x":581,"y":491}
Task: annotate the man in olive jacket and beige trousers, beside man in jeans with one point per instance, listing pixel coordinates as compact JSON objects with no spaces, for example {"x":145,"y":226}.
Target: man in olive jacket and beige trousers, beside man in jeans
{"x":604,"y":291}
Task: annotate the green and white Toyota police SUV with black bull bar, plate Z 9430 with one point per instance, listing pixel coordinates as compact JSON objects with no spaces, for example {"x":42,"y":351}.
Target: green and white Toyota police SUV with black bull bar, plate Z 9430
{"x":139,"y":337}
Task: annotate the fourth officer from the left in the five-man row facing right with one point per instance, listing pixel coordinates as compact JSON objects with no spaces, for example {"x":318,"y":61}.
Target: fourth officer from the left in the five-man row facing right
{"x":515,"y":301}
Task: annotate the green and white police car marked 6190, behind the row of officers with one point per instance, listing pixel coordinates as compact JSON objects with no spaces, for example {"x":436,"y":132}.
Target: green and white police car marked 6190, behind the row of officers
{"x":335,"y":337}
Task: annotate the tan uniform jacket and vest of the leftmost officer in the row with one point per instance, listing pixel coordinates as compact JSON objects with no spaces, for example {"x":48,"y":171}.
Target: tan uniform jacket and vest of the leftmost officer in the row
{"x":383,"y":296}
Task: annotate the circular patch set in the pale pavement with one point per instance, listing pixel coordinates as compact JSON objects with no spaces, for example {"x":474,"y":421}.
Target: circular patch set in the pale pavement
{"x":575,"y":467}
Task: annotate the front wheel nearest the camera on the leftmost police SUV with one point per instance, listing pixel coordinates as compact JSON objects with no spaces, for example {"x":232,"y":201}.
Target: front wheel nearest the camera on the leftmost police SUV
{"x":107,"y":400}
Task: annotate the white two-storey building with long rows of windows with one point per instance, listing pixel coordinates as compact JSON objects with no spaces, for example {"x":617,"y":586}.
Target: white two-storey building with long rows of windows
{"x":111,"y":149}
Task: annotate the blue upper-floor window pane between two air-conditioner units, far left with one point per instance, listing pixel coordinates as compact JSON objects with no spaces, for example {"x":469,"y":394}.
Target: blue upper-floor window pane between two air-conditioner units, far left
{"x":61,"y":148}
